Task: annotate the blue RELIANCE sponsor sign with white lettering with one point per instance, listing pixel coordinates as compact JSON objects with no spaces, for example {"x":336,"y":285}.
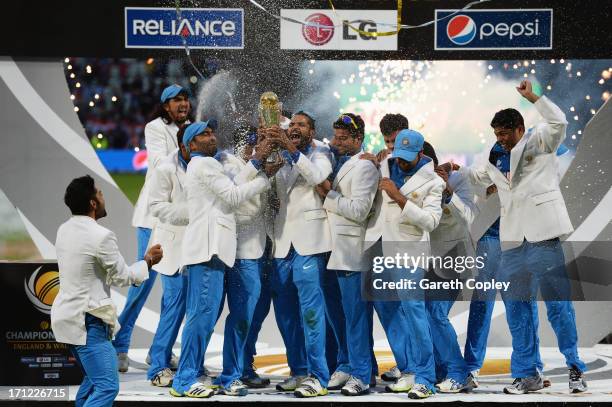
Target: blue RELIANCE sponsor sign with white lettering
{"x":149,"y":27}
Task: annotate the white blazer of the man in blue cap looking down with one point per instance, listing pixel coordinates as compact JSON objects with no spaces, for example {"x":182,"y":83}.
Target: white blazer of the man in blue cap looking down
{"x":420,"y":215}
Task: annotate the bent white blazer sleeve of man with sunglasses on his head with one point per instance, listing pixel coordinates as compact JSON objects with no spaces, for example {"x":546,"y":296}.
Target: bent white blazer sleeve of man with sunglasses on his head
{"x":363,"y":190}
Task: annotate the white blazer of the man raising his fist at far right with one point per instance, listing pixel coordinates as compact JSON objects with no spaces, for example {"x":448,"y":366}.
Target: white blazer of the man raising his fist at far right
{"x":532,"y":206}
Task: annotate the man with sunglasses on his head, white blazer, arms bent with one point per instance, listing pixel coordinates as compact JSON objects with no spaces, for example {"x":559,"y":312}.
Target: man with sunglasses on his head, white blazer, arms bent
{"x":348,"y":195}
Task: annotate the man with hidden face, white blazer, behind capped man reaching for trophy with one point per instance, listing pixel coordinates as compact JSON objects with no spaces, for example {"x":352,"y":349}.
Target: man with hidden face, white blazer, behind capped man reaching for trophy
{"x":168,"y":203}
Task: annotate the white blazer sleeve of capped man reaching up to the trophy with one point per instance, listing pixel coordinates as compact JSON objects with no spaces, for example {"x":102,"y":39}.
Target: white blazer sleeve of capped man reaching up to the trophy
{"x":222,"y":186}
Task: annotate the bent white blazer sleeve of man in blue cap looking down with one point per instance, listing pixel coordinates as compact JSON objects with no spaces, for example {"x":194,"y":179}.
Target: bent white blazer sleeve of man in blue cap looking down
{"x":428,"y":216}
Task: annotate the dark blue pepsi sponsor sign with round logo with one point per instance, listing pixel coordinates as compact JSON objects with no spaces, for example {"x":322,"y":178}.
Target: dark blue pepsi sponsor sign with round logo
{"x":493,"y":29}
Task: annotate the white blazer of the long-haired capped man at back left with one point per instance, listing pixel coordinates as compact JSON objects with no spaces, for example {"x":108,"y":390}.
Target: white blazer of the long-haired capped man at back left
{"x":160,"y":140}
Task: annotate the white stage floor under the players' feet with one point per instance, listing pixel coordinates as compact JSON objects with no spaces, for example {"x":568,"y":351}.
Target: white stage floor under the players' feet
{"x":135,"y":390}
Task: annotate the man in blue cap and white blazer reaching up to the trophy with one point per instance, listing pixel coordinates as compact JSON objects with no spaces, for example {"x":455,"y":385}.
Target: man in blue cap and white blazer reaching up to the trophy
{"x":209,"y":246}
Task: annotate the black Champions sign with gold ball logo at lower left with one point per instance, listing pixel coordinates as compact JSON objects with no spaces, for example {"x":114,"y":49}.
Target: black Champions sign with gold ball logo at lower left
{"x":28,"y":350}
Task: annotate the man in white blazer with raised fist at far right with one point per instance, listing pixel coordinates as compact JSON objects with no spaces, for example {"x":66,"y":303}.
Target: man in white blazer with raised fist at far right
{"x":533,"y":217}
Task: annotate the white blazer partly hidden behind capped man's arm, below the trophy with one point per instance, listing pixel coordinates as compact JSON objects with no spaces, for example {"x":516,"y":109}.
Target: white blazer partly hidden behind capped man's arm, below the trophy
{"x":250,"y":225}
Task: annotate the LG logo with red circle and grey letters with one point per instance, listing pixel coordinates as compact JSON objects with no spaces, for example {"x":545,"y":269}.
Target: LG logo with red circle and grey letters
{"x":321,"y":29}
